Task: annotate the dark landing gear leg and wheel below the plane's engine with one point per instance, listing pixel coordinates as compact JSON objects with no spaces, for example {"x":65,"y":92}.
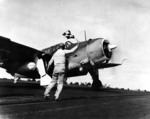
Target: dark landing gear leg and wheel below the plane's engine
{"x":97,"y":84}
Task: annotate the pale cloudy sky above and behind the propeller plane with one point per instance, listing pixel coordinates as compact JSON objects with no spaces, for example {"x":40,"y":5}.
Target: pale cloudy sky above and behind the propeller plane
{"x":126,"y":23}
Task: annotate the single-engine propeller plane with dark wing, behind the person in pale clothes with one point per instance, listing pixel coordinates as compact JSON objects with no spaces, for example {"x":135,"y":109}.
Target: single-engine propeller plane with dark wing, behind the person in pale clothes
{"x":93,"y":54}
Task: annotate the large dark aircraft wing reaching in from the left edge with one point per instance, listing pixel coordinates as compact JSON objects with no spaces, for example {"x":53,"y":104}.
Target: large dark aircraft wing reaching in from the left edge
{"x":12,"y":52}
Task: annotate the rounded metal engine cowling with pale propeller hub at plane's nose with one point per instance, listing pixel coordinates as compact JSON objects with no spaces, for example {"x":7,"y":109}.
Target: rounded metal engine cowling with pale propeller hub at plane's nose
{"x":99,"y":50}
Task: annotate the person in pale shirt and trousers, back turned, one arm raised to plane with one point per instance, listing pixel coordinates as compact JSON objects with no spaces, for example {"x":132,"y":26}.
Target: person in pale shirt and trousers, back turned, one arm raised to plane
{"x":59,"y":71}
